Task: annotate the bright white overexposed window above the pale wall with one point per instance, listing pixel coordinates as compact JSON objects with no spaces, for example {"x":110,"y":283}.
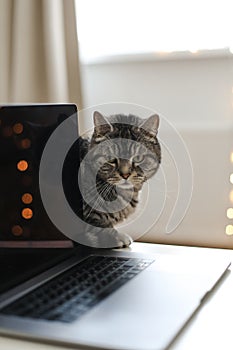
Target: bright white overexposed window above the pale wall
{"x":110,"y":27}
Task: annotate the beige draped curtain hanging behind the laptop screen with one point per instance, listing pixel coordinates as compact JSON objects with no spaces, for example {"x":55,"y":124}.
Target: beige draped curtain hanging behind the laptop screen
{"x":39,"y":52}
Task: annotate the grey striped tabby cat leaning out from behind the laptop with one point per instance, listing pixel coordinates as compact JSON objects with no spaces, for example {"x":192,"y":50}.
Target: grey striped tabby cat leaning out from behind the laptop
{"x":122,"y":153}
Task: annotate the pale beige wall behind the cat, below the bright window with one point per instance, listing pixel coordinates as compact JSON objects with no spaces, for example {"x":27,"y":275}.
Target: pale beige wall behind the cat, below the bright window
{"x":195,"y":95}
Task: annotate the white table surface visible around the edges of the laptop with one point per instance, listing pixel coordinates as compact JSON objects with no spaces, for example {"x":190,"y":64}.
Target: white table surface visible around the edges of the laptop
{"x":210,"y":328}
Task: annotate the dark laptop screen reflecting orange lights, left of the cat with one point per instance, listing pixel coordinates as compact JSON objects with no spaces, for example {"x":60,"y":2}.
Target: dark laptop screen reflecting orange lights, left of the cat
{"x":24,"y":132}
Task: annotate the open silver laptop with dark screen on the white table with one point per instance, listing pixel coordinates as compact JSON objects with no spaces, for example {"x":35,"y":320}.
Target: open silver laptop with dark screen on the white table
{"x":54,"y":289}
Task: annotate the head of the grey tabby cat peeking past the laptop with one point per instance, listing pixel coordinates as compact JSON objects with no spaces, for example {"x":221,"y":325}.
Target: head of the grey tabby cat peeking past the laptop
{"x":126,"y":149}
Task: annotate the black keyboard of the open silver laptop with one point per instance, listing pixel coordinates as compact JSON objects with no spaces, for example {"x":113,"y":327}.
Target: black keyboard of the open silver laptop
{"x":69,"y":295}
